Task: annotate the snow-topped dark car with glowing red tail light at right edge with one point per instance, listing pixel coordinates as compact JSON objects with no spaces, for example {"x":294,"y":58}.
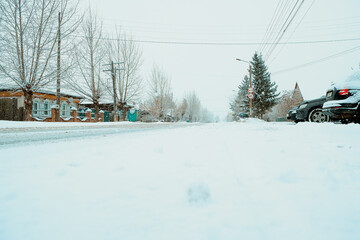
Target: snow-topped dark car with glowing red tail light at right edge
{"x":343,"y":100}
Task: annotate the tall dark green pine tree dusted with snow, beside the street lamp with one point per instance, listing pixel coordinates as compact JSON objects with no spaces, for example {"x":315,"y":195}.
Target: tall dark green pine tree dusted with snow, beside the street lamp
{"x":265,"y":91}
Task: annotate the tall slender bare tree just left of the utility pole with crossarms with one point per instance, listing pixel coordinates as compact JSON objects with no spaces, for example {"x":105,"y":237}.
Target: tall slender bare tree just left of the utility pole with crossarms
{"x":89,"y":55}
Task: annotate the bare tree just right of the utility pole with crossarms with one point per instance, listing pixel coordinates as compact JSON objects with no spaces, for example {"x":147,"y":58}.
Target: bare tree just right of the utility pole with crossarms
{"x":128,"y":81}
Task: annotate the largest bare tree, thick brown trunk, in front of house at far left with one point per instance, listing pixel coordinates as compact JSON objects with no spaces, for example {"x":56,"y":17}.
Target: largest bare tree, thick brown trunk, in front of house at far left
{"x":28,"y":37}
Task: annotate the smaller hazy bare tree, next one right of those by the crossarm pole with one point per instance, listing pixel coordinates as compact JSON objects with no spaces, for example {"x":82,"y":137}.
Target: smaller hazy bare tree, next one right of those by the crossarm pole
{"x":161,"y":98}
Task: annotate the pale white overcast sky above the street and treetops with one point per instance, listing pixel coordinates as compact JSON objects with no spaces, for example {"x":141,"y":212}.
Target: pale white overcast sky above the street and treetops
{"x":320,"y":29}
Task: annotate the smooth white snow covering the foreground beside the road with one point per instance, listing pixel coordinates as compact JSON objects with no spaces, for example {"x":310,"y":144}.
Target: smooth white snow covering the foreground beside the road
{"x":241,"y":180}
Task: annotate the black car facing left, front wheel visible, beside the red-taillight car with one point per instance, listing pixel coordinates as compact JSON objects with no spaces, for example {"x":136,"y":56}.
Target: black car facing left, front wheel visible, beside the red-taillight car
{"x":309,"y":111}
